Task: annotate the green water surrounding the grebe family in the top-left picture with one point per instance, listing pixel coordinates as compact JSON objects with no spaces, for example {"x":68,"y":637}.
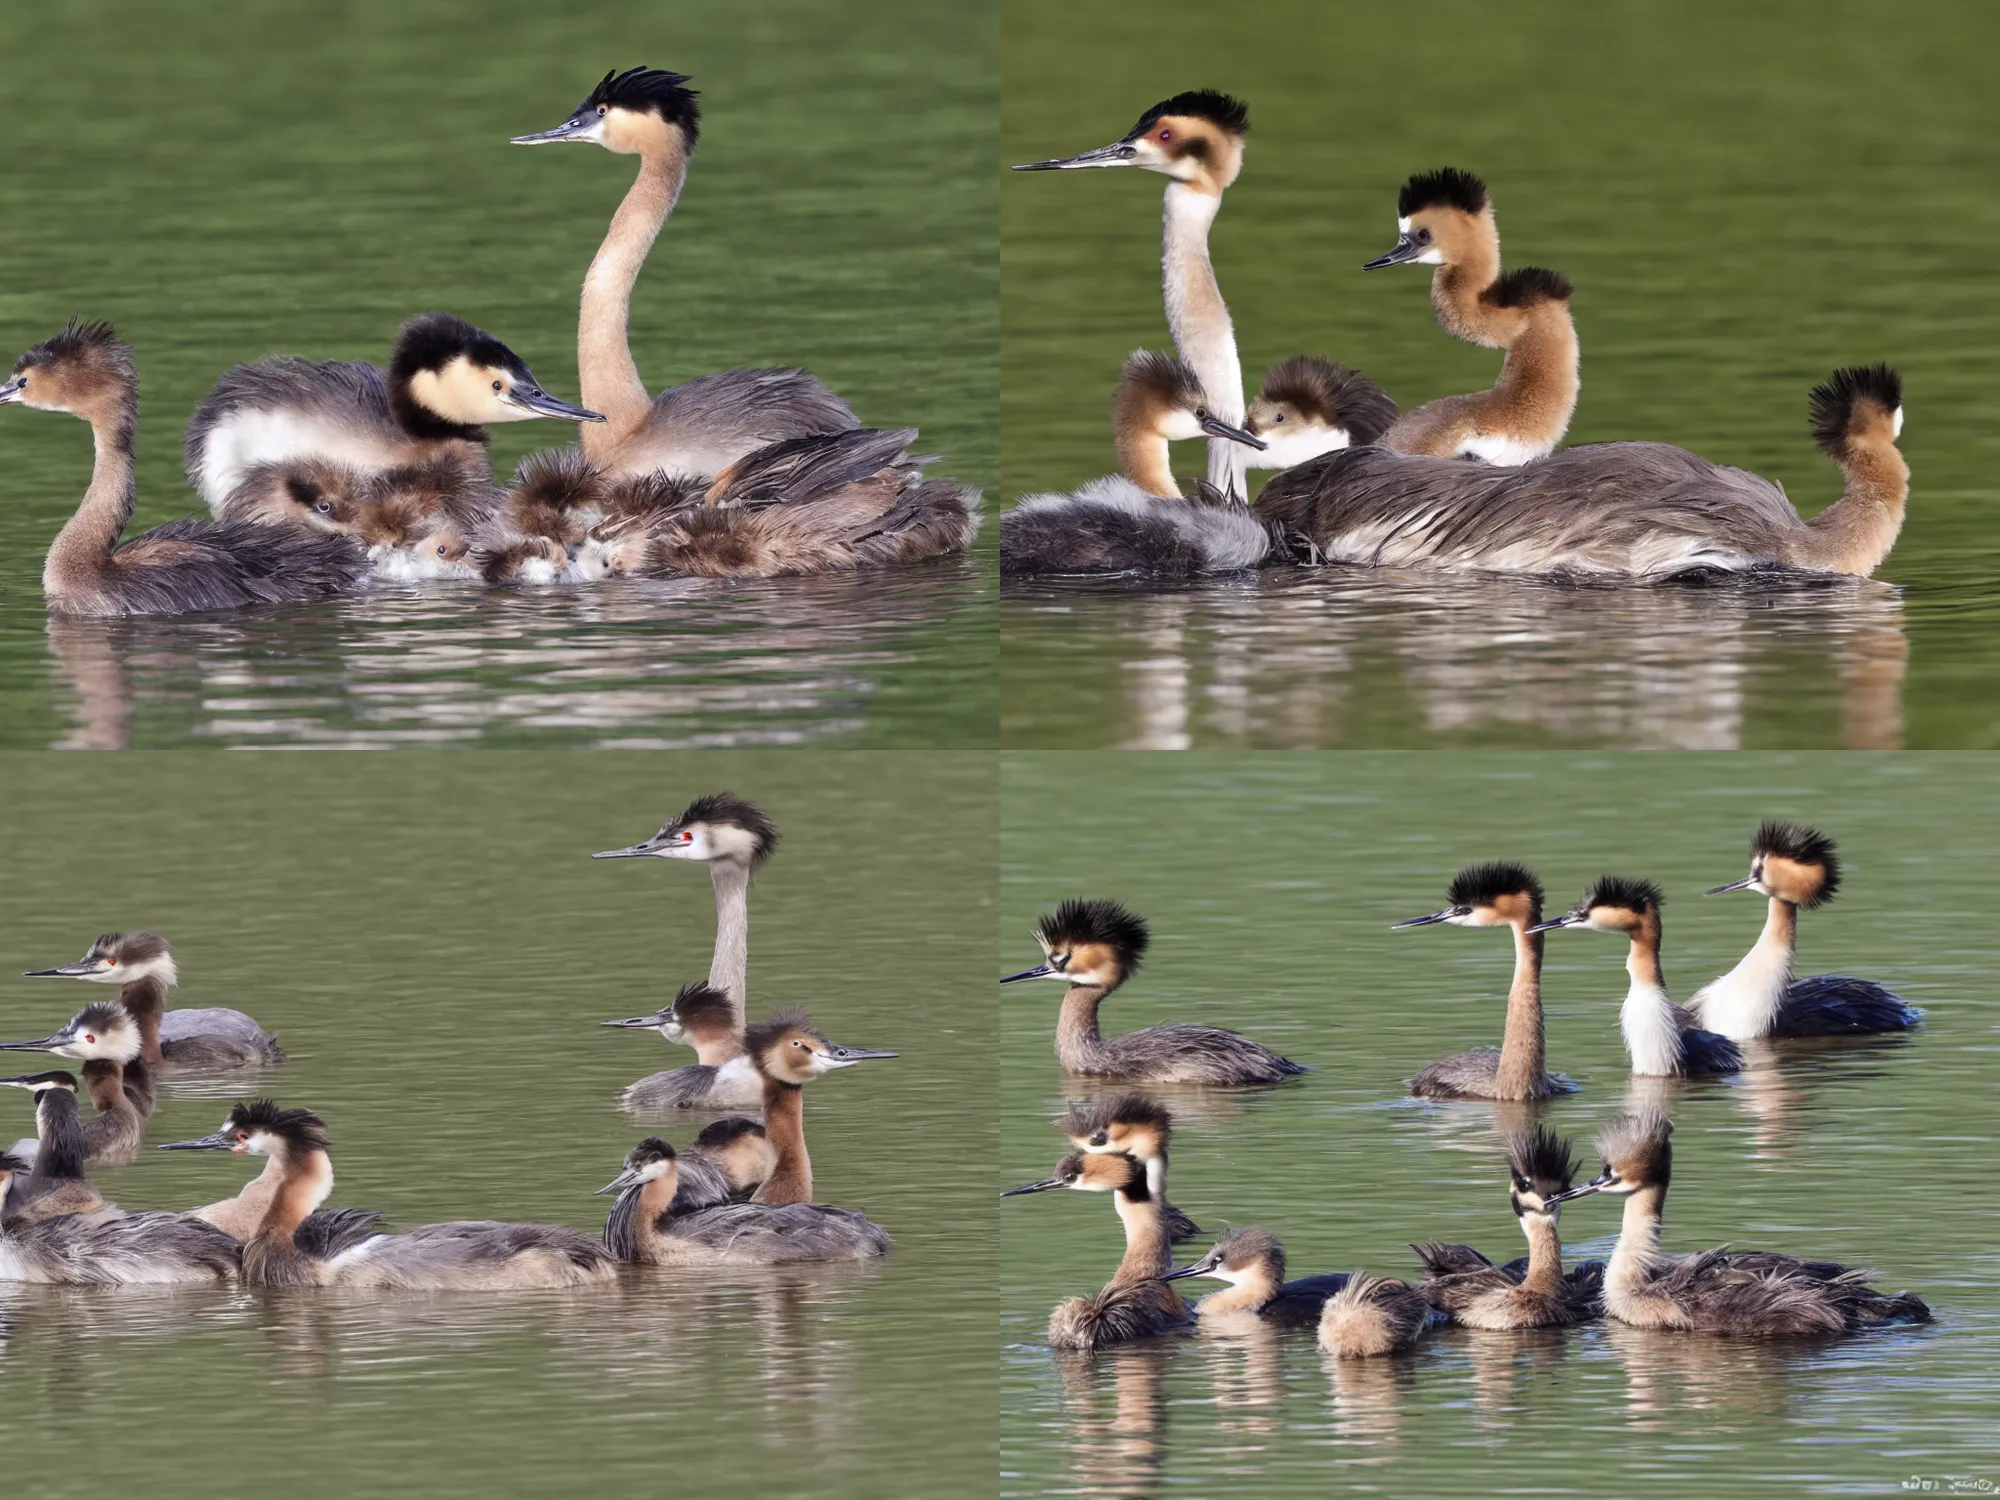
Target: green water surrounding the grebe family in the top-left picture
{"x":229,"y":183}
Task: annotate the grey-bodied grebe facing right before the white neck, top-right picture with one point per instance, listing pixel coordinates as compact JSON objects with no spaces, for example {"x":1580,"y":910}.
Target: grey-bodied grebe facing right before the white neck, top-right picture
{"x":1137,"y":521}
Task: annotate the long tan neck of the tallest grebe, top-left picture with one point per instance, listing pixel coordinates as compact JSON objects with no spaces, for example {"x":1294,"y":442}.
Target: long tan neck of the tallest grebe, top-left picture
{"x":605,"y":369}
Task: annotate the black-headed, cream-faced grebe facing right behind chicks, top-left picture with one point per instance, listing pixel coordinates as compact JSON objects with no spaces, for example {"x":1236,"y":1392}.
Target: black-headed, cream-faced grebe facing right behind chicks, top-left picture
{"x":447,"y":381}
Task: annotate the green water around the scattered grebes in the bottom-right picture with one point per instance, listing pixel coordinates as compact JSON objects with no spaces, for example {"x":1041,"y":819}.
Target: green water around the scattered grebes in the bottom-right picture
{"x":1271,"y":885}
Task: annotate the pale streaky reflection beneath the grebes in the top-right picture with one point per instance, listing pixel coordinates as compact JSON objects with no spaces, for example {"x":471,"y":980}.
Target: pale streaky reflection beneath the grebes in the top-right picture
{"x":1297,"y":657}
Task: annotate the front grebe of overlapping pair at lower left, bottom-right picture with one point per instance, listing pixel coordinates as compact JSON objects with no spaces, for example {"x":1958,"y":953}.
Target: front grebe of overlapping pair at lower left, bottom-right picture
{"x":1137,"y":1303}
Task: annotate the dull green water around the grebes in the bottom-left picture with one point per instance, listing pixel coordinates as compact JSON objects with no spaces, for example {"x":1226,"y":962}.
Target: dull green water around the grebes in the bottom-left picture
{"x":435,"y":949}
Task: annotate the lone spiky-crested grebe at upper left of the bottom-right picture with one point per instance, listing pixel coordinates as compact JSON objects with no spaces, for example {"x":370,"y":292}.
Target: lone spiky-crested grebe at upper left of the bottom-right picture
{"x":1095,"y":947}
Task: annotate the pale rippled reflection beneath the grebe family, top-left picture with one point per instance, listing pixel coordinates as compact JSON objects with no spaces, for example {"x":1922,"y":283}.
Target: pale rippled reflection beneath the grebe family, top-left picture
{"x":625,"y":665}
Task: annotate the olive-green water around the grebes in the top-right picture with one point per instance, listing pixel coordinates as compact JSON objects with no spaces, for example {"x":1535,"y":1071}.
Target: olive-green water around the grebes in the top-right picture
{"x":1747,"y":197}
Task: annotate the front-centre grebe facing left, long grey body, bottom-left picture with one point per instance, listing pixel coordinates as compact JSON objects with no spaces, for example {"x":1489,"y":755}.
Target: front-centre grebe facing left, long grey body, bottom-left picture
{"x":471,"y":1255}
